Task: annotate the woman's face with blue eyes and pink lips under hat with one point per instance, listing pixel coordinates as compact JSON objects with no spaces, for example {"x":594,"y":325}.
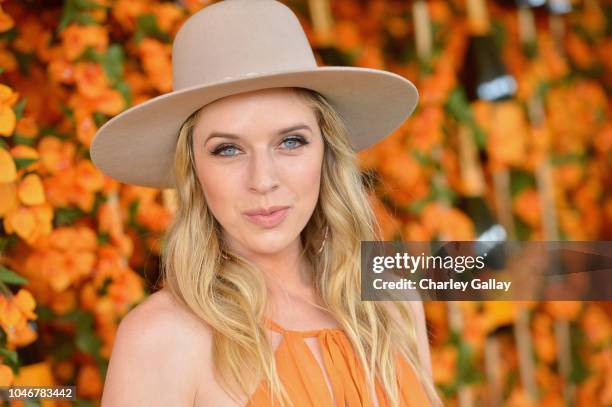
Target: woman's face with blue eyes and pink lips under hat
{"x":256,"y":151}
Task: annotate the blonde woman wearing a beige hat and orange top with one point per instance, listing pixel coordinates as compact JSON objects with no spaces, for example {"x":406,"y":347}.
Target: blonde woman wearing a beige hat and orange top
{"x":261,"y":300}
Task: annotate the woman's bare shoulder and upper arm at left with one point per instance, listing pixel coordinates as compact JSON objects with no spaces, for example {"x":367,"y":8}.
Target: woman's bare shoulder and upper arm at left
{"x":157,"y":350}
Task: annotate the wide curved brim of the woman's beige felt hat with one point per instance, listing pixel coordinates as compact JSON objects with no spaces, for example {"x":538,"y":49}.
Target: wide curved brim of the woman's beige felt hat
{"x":137,"y":146}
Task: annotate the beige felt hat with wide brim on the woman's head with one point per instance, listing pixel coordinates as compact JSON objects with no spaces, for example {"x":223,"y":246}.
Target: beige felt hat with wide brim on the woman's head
{"x":235,"y":46}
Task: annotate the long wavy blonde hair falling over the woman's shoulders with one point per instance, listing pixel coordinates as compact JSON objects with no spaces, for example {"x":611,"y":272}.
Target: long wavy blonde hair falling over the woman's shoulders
{"x":230,"y":294}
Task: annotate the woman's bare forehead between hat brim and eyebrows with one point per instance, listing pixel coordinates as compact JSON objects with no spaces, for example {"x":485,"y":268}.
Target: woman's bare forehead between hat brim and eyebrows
{"x":269,"y":108}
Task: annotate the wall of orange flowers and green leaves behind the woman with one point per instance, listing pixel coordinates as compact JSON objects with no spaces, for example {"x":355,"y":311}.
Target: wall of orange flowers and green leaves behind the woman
{"x":78,"y":249}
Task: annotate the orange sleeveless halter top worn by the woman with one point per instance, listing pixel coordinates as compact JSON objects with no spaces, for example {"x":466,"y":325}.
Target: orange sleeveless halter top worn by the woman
{"x":305,"y":382}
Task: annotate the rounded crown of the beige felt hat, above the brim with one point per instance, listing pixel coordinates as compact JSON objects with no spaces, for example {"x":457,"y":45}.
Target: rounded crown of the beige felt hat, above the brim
{"x":238,"y":38}
